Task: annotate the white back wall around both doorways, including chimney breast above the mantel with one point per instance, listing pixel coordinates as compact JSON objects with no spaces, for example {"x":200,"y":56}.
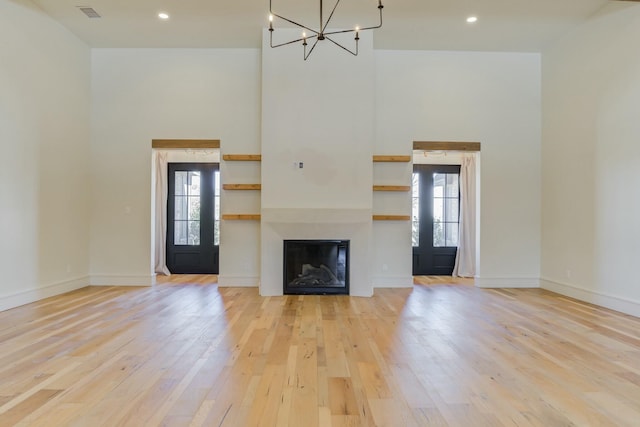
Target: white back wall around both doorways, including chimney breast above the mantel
{"x":141,"y":94}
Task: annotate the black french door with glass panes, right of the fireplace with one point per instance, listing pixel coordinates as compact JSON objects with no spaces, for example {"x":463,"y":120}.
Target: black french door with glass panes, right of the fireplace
{"x":435,"y":218}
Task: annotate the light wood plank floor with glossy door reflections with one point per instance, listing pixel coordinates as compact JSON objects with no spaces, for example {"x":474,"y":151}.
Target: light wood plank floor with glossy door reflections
{"x":186,"y":353}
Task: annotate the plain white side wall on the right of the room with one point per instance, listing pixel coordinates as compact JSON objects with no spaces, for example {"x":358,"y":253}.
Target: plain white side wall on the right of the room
{"x":591,"y":161}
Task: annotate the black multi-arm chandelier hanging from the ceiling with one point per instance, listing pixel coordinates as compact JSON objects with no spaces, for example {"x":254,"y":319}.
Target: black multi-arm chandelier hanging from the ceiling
{"x":321,"y":33}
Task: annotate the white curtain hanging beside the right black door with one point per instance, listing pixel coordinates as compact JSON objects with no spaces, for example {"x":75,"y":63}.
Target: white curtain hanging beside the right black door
{"x":465,"y":265}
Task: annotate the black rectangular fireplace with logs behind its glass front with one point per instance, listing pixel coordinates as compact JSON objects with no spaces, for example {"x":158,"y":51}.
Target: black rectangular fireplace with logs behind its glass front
{"x":316,"y":267}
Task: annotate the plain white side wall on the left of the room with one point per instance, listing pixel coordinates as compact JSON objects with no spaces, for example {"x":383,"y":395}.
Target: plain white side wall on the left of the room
{"x":44,"y":132}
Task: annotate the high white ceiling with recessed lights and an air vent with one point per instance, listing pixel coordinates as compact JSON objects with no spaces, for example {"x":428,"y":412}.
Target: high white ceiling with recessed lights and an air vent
{"x":503,"y":25}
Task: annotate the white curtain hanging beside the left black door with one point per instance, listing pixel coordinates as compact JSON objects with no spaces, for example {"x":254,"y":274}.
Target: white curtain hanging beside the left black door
{"x":160,"y":232}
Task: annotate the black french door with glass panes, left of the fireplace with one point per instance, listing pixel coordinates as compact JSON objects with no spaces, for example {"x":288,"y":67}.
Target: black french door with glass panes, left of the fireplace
{"x":193,"y":218}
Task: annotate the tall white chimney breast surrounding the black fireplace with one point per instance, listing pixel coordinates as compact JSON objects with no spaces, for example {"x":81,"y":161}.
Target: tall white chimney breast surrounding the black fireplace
{"x":317,"y":139}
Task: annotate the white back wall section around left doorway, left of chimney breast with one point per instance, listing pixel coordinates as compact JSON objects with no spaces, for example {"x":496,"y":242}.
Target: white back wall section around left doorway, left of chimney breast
{"x":142,"y":94}
